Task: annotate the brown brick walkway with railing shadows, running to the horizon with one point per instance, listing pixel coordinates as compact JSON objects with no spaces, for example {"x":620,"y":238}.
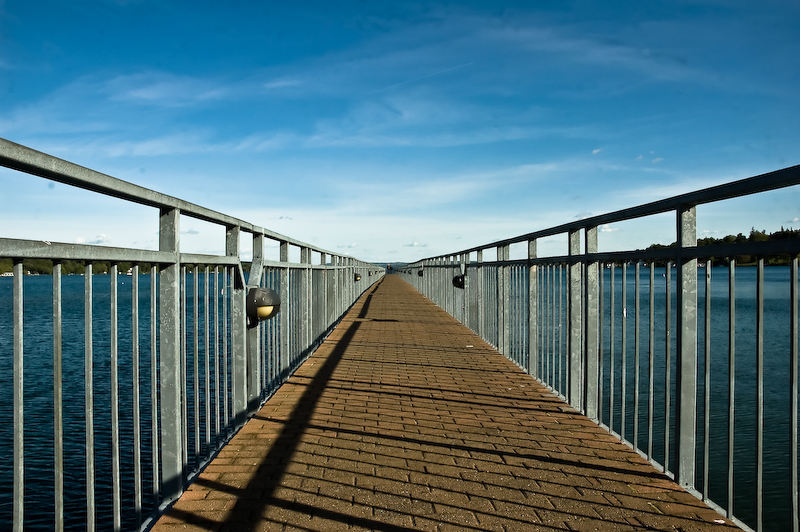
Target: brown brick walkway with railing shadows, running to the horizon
{"x":405,"y":420}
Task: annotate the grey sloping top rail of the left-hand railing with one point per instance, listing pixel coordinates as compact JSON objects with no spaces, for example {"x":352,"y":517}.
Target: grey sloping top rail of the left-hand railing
{"x":30,"y":161}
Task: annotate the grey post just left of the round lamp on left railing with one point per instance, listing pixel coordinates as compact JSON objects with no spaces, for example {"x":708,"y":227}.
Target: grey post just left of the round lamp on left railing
{"x":238,"y":331}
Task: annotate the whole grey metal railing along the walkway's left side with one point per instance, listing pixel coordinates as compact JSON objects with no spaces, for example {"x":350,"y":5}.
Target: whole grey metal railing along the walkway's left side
{"x":149,"y":379}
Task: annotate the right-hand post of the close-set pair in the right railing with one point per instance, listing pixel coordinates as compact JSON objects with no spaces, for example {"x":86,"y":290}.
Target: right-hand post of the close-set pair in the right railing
{"x":591,"y":328}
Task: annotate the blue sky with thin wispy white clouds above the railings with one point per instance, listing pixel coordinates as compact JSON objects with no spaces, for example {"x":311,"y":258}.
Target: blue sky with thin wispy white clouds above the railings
{"x":394,"y":131}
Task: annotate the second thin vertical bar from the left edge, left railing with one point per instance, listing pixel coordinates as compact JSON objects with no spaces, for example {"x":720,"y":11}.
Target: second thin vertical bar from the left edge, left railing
{"x":58,"y":420}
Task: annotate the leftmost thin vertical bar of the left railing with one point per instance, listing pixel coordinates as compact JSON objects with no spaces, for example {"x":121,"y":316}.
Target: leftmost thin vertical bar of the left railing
{"x":19,"y":403}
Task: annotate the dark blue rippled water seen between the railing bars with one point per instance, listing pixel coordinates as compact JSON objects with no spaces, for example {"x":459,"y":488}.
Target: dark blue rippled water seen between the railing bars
{"x":38,"y":378}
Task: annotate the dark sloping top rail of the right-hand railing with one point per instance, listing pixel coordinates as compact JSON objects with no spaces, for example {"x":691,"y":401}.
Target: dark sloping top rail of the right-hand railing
{"x":752,"y":185}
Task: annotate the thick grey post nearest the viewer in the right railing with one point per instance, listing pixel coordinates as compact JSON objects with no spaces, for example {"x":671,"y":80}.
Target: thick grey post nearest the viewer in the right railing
{"x":686,"y":393}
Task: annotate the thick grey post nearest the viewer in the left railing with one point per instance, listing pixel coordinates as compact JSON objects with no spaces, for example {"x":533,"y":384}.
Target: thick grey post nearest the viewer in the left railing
{"x":172,"y":474}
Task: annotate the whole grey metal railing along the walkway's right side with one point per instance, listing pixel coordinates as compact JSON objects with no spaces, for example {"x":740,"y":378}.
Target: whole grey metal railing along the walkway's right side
{"x":699,"y":377}
